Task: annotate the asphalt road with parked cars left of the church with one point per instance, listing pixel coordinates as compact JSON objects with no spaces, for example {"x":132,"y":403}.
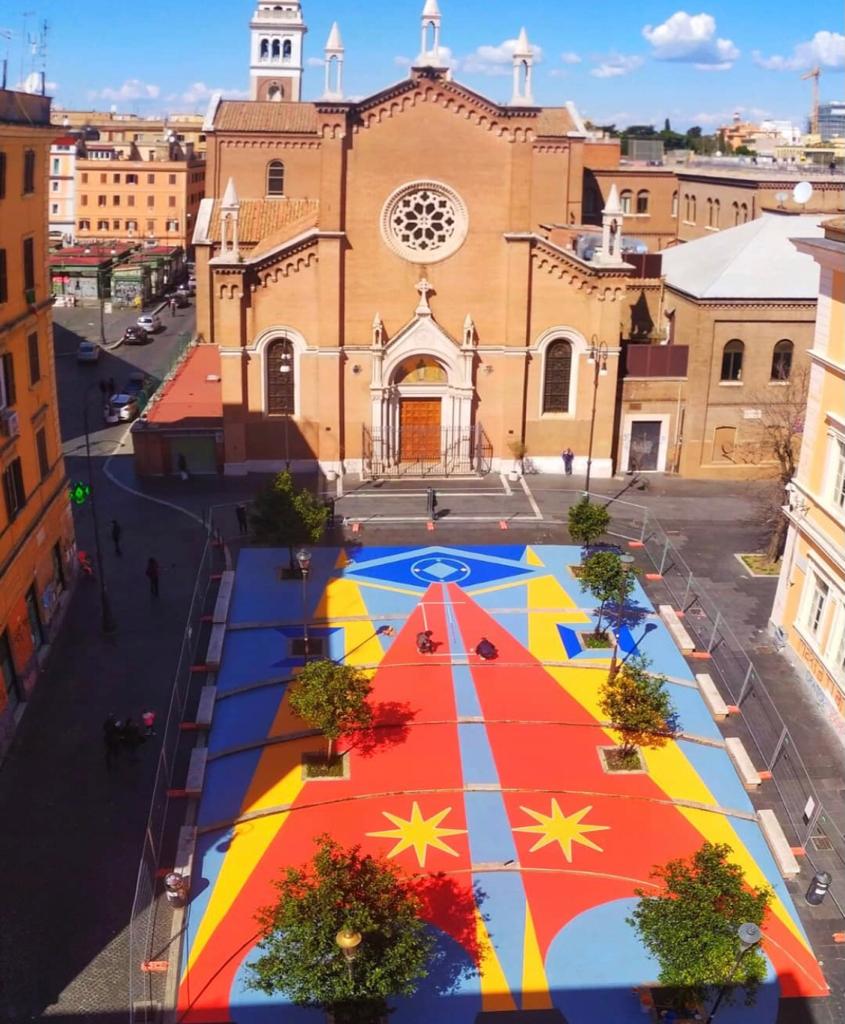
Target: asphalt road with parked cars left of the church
{"x":78,"y":382}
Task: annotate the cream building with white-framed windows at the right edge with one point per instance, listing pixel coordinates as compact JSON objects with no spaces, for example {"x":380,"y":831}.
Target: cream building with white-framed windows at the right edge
{"x":810,"y":607}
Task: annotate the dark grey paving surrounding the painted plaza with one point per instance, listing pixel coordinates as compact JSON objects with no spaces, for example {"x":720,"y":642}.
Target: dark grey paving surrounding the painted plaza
{"x":72,"y":850}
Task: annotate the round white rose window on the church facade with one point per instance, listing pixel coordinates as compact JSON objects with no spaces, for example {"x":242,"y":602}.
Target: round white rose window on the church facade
{"x":425,"y":222}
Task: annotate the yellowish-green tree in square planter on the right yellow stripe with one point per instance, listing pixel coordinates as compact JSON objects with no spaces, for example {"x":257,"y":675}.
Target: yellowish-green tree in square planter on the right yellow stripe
{"x":639,"y":706}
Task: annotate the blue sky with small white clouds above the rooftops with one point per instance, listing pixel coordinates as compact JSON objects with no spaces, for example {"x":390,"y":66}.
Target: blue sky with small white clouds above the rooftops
{"x":617,"y":61}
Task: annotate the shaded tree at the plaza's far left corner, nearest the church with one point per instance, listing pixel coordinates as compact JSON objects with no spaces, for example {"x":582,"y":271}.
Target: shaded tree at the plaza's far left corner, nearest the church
{"x":286,"y":517}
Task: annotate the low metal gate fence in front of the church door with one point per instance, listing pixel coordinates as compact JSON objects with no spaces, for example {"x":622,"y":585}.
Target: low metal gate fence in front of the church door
{"x":427,"y":451}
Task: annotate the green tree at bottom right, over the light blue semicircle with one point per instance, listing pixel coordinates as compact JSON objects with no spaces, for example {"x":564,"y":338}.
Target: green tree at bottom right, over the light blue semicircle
{"x":691,"y":926}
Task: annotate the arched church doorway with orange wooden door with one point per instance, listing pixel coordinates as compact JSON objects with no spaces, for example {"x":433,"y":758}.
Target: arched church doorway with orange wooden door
{"x":421,"y":386}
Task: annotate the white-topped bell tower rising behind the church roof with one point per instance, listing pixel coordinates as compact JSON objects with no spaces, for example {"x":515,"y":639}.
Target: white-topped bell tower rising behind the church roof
{"x":277,"y":35}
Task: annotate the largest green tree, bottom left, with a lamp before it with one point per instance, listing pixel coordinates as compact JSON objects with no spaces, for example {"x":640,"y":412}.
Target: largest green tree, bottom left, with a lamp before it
{"x":343,"y":891}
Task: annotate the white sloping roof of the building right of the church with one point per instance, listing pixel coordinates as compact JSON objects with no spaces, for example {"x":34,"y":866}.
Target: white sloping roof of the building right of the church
{"x":756,"y":261}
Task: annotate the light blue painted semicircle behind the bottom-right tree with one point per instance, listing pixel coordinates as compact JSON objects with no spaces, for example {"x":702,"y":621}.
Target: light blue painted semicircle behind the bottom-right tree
{"x":597,"y":960}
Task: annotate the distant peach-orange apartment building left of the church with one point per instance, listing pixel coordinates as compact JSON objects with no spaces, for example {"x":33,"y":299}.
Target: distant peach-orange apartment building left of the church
{"x":133,"y":193}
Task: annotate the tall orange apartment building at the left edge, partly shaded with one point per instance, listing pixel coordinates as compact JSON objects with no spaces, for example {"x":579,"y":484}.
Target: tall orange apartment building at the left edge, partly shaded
{"x":37,"y":545}
